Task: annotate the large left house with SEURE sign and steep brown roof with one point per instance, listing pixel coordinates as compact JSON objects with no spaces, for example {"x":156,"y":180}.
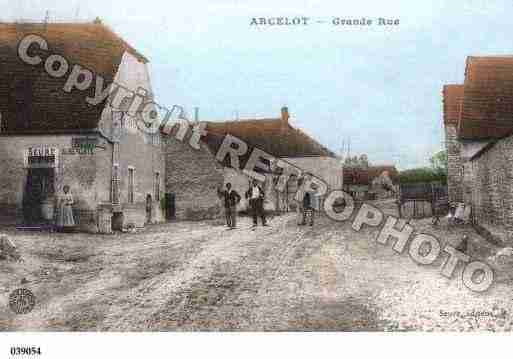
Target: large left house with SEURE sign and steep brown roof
{"x":121,"y":180}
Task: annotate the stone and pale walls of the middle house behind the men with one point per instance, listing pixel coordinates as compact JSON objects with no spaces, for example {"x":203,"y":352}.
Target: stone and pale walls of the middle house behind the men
{"x":194,"y":176}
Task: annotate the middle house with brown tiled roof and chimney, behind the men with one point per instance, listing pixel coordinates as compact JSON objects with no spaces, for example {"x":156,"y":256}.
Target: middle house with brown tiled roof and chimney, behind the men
{"x":193,"y":176}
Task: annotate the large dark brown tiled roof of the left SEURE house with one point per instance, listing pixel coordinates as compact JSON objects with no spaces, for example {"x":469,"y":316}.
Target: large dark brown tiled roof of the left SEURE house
{"x":31,"y":100}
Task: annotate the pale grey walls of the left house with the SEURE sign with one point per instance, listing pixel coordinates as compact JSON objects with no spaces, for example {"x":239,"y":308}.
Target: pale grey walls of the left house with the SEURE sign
{"x":89,"y":177}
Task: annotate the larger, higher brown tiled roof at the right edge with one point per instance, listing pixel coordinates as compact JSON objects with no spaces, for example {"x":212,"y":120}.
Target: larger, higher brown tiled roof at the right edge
{"x":487,"y":107}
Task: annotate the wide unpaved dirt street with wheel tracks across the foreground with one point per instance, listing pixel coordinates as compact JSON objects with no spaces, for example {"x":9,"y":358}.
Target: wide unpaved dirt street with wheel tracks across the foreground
{"x":200,"y":276}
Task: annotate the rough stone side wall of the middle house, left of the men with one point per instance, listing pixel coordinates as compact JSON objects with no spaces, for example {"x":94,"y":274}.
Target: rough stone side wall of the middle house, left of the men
{"x":193,"y":176}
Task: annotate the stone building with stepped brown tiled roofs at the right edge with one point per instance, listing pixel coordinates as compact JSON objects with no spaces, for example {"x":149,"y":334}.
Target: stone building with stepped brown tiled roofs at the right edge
{"x":478,"y":118}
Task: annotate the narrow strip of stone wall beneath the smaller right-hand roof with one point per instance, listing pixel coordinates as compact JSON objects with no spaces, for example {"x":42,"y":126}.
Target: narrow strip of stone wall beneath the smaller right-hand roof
{"x":455,"y":165}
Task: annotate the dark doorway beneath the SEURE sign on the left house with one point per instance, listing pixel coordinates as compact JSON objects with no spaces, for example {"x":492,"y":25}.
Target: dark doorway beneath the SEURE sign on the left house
{"x":39,"y":188}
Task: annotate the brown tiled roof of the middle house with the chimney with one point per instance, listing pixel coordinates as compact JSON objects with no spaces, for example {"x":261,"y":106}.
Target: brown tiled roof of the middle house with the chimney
{"x":274,"y":136}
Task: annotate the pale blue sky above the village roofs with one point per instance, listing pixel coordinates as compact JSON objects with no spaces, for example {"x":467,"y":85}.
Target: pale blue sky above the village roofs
{"x":377,"y":87}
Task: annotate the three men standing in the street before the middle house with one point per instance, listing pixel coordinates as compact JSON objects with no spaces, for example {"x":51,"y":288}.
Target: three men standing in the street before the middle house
{"x":306,"y":204}
